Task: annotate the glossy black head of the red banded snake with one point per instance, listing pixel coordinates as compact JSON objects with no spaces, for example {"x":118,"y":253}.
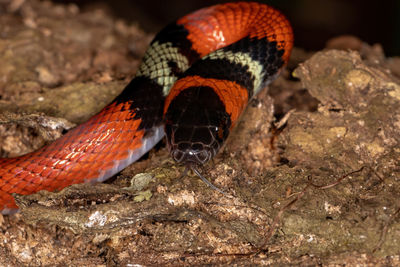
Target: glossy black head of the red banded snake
{"x":196,"y":126}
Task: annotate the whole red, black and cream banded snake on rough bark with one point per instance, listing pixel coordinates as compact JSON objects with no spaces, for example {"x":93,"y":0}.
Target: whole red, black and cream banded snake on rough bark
{"x":196,"y":78}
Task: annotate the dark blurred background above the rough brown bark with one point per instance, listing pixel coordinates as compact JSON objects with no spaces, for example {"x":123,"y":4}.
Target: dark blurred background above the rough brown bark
{"x":314,"y":21}
